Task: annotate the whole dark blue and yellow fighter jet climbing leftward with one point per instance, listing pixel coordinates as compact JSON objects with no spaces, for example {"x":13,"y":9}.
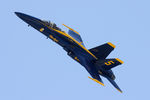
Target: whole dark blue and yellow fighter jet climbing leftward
{"x":94,"y":60}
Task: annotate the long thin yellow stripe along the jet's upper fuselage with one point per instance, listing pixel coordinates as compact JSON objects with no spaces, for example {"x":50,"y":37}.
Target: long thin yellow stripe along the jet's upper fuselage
{"x":65,"y":34}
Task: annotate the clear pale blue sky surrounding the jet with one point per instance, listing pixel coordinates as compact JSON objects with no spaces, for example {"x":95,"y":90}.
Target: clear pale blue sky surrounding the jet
{"x":35,"y":68}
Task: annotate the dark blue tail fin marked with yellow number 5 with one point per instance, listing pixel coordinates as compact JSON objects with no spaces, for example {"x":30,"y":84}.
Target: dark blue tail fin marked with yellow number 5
{"x":109,"y":63}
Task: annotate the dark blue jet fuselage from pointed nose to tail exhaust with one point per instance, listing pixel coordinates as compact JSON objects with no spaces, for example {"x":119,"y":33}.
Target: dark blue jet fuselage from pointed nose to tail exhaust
{"x":73,"y":48}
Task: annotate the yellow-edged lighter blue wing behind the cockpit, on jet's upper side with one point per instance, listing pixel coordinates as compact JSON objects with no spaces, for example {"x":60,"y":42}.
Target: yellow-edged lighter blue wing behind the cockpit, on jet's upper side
{"x":75,"y":35}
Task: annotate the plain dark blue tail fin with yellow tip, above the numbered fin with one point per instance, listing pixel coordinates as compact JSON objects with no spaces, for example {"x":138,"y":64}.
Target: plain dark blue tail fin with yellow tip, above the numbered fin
{"x":102,"y":51}
